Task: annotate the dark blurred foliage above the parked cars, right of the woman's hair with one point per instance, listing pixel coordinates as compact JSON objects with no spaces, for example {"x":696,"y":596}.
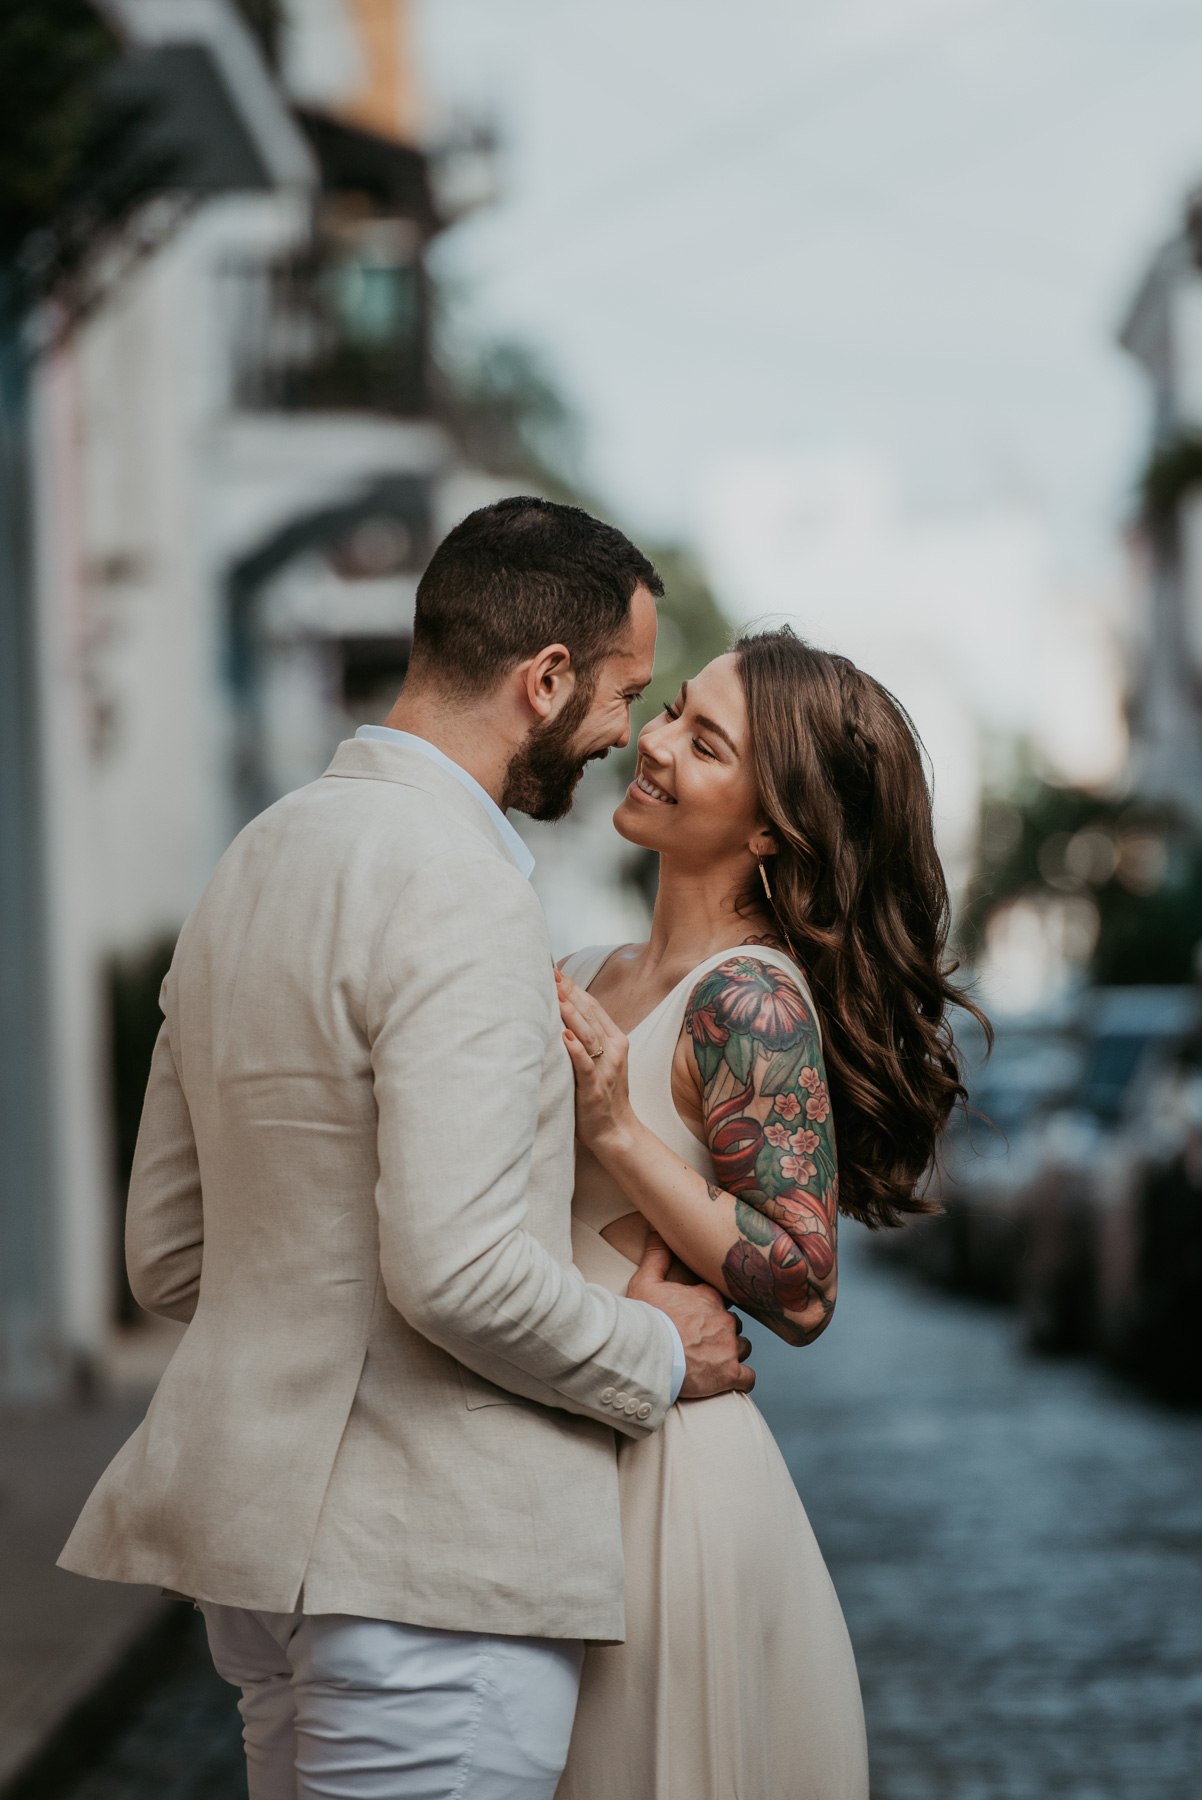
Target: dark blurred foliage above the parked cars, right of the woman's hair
{"x":1140,"y":867}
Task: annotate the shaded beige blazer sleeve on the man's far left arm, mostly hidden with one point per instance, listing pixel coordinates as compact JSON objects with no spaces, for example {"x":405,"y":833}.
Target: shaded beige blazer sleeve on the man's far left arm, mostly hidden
{"x":165,"y":1223}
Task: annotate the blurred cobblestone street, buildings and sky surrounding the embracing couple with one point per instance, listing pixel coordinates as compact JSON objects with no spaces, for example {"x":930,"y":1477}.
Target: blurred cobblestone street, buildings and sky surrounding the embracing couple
{"x":877,"y":316}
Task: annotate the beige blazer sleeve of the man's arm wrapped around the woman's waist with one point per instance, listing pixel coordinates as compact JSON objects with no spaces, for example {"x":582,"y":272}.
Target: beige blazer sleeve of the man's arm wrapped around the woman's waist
{"x":460,"y":1034}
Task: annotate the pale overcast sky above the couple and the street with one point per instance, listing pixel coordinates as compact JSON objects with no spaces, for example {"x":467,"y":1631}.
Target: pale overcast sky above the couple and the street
{"x":901,"y":226}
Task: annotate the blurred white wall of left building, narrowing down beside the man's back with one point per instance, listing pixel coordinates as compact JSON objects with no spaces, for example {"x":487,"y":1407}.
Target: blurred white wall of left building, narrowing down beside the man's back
{"x":132,"y":685}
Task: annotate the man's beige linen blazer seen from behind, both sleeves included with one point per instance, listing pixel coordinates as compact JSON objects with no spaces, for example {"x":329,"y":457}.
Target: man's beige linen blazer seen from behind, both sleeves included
{"x":354,"y":1182}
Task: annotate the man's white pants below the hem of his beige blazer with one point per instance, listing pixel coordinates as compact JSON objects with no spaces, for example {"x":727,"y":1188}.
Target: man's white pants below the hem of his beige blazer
{"x":361,"y":1709}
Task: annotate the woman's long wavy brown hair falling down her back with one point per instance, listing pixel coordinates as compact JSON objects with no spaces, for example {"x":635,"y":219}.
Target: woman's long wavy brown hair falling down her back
{"x":859,"y":892}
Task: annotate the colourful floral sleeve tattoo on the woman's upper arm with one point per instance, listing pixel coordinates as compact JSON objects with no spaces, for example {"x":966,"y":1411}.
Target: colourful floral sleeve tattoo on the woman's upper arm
{"x":773,"y":1140}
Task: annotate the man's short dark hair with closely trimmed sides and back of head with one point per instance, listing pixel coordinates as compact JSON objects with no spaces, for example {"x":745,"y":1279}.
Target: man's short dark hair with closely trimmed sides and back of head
{"x":521,"y":575}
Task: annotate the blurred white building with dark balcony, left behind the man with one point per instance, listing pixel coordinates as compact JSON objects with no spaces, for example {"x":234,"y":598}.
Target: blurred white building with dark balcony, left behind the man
{"x":240,"y":462}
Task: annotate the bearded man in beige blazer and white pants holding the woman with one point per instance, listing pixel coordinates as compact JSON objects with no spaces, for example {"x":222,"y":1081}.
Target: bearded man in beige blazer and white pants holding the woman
{"x":382,"y":1459}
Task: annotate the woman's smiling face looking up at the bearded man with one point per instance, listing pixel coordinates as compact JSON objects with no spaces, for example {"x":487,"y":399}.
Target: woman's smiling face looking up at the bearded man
{"x":695,"y":793}
